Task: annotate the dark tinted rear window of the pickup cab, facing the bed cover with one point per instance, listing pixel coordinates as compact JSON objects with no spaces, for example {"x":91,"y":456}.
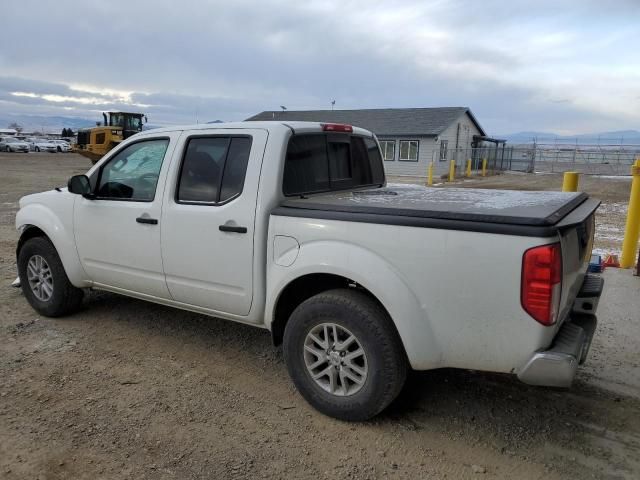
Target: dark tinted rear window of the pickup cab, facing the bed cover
{"x":325,"y":162}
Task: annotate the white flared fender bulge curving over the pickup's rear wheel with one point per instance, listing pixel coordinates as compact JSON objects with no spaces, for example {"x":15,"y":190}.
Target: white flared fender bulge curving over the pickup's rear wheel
{"x":378,"y":276}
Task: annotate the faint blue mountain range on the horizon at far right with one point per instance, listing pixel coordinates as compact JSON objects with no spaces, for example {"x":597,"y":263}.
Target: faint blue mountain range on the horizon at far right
{"x":618,"y":137}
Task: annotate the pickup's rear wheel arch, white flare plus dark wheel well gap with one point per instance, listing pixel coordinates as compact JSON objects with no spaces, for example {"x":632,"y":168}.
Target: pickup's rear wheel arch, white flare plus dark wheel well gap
{"x":325,"y":265}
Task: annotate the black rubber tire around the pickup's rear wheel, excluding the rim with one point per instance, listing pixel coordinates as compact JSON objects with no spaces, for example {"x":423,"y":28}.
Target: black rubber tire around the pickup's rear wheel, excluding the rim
{"x":374,"y":330}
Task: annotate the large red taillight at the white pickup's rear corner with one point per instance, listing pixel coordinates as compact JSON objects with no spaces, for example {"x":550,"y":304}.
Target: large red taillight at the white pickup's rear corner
{"x":542,"y":282}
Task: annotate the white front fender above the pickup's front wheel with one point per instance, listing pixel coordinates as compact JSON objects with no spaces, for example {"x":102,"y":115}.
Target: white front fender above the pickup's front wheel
{"x":59,"y":229}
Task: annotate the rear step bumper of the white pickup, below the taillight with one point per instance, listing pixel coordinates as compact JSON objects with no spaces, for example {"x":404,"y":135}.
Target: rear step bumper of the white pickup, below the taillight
{"x":556,"y":367}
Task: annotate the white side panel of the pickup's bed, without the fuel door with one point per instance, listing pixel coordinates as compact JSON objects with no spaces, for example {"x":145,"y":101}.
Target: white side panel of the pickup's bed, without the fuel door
{"x":453,"y":295}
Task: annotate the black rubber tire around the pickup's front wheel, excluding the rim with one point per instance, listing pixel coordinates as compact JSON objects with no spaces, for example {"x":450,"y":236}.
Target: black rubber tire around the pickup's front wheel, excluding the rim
{"x":65,"y":298}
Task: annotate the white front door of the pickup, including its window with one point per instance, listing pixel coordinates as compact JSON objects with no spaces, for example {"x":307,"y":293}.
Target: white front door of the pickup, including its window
{"x":118,"y":233}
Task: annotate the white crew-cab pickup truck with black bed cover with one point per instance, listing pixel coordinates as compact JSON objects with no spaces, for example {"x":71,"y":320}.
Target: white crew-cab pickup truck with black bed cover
{"x":291,"y":227}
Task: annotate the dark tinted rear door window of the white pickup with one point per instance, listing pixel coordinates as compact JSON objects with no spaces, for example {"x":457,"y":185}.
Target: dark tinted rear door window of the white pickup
{"x":213,"y":169}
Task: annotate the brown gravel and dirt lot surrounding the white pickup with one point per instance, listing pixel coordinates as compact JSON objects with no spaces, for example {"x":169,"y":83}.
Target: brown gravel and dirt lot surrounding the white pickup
{"x":126,"y":389}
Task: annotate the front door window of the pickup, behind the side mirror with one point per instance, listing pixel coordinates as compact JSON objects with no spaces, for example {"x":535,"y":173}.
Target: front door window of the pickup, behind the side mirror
{"x":132,"y":174}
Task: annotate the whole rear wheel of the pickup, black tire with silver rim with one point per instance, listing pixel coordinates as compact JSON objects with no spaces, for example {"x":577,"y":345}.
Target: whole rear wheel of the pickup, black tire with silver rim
{"x":344,"y":354}
